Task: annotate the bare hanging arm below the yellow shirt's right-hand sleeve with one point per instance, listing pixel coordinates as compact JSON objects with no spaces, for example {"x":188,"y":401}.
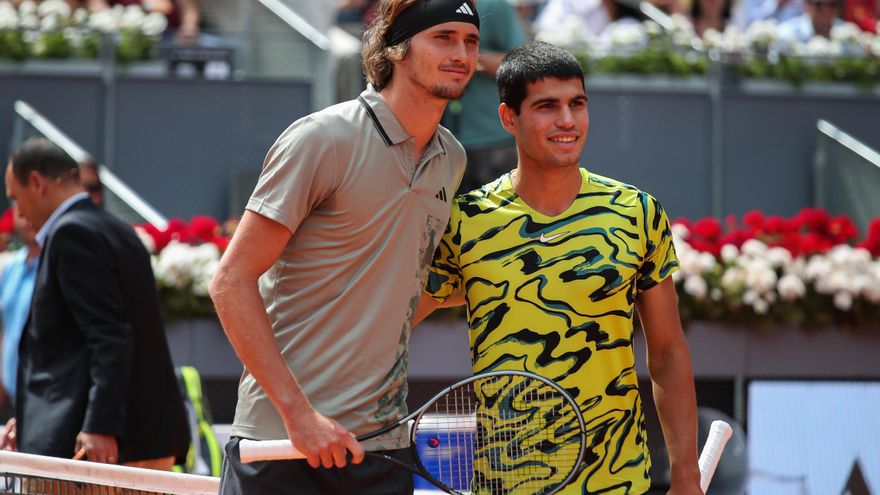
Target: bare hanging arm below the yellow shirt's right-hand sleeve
{"x":669,"y":363}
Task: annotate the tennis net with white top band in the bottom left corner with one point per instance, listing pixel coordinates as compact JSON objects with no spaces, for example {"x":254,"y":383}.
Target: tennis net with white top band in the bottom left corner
{"x":28,"y":474}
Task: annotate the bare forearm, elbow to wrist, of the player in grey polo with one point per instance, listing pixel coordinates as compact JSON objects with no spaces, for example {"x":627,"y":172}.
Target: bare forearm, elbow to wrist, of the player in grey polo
{"x":247,"y":325}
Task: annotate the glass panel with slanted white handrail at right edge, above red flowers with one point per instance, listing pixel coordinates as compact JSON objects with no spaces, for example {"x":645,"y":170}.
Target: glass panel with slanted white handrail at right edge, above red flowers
{"x":847,"y":175}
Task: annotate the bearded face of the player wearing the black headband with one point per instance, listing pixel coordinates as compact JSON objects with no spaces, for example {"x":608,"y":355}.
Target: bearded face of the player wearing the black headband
{"x":441,"y":60}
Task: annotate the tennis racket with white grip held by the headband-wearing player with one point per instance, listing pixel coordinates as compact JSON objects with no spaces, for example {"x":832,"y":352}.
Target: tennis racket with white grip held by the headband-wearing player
{"x":498,"y":433}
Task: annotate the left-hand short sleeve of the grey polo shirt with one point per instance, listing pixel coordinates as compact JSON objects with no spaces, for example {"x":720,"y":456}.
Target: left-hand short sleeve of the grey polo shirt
{"x":300,"y":171}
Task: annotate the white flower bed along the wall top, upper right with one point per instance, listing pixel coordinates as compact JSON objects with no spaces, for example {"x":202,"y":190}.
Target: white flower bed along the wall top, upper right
{"x":850,"y":55}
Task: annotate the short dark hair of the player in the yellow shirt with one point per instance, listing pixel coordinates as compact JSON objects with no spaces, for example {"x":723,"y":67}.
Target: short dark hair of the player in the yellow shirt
{"x":530,"y":63}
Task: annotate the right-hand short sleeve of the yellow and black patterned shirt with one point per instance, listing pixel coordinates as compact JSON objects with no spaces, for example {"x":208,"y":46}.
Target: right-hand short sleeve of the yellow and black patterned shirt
{"x":660,"y":260}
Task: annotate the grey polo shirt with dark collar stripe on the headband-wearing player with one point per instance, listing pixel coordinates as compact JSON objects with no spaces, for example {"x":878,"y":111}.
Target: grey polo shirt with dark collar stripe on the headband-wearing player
{"x":366,"y":215}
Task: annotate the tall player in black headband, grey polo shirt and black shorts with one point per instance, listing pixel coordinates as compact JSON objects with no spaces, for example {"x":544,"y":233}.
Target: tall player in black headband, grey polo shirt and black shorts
{"x":318,"y":287}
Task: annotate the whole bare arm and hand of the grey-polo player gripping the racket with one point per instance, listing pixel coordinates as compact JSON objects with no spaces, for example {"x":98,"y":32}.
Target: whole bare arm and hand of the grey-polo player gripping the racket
{"x":256,"y":245}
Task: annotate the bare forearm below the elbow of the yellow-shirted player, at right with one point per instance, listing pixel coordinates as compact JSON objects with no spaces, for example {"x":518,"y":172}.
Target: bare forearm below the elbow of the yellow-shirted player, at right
{"x":673,"y":386}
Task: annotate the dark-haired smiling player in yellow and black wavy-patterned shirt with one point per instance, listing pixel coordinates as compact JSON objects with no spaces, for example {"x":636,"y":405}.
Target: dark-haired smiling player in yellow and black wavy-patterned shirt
{"x":553,"y":261}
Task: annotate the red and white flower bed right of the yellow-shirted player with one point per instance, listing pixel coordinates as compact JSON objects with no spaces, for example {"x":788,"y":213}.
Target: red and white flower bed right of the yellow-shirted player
{"x":810,"y":270}
